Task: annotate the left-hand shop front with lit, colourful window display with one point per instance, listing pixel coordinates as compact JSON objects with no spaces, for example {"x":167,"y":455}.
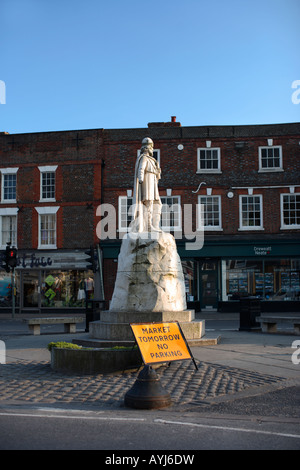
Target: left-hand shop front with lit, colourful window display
{"x":48,"y":282}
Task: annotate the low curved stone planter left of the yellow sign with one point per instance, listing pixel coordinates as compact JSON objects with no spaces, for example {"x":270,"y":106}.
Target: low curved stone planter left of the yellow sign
{"x":94,"y":361}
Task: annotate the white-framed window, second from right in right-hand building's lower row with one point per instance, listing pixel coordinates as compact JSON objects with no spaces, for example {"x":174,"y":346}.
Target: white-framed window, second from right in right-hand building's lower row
{"x":251,"y":217}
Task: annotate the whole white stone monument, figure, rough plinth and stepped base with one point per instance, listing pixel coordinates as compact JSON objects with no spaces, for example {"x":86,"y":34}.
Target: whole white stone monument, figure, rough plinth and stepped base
{"x":150,"y":284}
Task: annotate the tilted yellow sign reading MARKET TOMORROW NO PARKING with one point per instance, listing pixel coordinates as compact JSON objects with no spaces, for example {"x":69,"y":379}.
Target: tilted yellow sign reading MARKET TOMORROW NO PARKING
{"x":161,"y":342}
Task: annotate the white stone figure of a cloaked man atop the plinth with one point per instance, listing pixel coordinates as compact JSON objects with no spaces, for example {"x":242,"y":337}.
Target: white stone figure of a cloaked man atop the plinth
{"x":147,"y":209}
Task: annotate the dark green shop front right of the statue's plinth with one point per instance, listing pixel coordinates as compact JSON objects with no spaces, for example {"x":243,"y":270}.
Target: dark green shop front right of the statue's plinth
{"x":221,"y":274}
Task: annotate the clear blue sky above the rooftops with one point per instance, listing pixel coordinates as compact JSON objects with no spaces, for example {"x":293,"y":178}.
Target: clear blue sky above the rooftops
{"x":84,"y":64}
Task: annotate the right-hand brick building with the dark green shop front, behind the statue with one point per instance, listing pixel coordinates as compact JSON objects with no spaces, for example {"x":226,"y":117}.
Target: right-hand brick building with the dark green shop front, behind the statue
{"x":247,"y":179}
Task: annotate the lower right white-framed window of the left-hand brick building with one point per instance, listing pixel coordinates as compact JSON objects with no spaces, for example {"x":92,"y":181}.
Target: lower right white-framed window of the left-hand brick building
{"x":47,"y":227}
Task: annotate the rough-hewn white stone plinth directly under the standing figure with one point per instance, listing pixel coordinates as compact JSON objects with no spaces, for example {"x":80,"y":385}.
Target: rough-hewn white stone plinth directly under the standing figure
{"x":149,"y":277}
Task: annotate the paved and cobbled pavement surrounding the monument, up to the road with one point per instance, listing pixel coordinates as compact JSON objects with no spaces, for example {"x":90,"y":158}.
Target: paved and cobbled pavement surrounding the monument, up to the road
{"x":246,"y":373}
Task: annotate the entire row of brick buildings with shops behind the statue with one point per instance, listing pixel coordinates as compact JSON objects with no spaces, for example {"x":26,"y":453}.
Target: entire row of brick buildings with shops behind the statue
{"x":245,"y":178}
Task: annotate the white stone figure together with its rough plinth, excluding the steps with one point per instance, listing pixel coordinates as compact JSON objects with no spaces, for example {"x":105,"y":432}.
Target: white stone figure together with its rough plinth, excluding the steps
{"x":149,"y":277}
